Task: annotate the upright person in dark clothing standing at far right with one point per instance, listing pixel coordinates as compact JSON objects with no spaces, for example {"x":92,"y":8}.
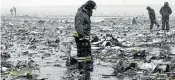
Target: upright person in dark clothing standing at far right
{"x":165,"y":11}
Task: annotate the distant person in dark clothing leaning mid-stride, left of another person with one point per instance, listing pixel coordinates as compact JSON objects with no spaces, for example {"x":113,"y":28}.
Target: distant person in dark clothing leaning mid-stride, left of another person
{"x":152,"y":17}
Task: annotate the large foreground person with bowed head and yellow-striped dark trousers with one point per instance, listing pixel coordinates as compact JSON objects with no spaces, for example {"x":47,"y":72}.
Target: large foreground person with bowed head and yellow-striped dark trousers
{"x":82,"y":35}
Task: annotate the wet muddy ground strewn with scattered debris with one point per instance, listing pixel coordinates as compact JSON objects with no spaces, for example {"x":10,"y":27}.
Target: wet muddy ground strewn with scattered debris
{"x":40,"y":39}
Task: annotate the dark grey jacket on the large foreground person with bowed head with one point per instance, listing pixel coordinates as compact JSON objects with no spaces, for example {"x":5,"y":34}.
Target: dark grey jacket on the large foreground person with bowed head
{"x":83,"y":22}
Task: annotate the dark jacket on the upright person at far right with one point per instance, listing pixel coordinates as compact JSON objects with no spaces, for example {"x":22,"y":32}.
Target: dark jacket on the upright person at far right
{"x":165,"y":11}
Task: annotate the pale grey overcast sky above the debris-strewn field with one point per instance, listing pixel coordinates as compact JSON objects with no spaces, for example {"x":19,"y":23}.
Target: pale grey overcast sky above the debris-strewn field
{"x":69,"y":7}
